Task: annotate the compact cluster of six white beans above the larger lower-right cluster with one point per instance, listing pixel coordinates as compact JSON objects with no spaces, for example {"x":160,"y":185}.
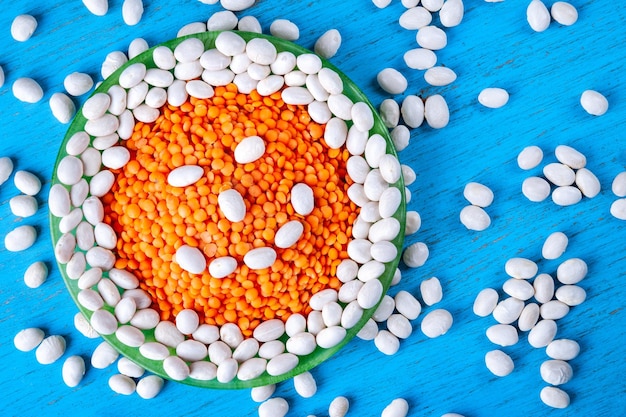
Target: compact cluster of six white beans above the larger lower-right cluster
{"x":570,"y":176}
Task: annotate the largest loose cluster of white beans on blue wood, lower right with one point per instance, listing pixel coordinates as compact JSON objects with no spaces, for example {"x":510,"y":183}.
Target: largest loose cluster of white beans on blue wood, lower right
{"x":535,"y":302}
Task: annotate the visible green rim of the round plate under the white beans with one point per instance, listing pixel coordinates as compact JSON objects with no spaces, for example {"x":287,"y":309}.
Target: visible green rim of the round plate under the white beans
{"x":306,"y":362}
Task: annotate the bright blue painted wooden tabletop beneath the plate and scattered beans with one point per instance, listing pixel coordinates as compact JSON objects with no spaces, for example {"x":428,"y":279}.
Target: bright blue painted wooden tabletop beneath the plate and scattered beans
{"x":545,"y":74}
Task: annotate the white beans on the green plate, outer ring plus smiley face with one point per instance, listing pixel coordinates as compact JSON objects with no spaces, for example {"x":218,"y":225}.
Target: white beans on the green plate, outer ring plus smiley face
{"x":113,"y":296}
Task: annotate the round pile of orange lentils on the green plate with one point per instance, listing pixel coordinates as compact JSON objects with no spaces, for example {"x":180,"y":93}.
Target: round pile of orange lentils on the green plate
{"x":152,"y":218}
